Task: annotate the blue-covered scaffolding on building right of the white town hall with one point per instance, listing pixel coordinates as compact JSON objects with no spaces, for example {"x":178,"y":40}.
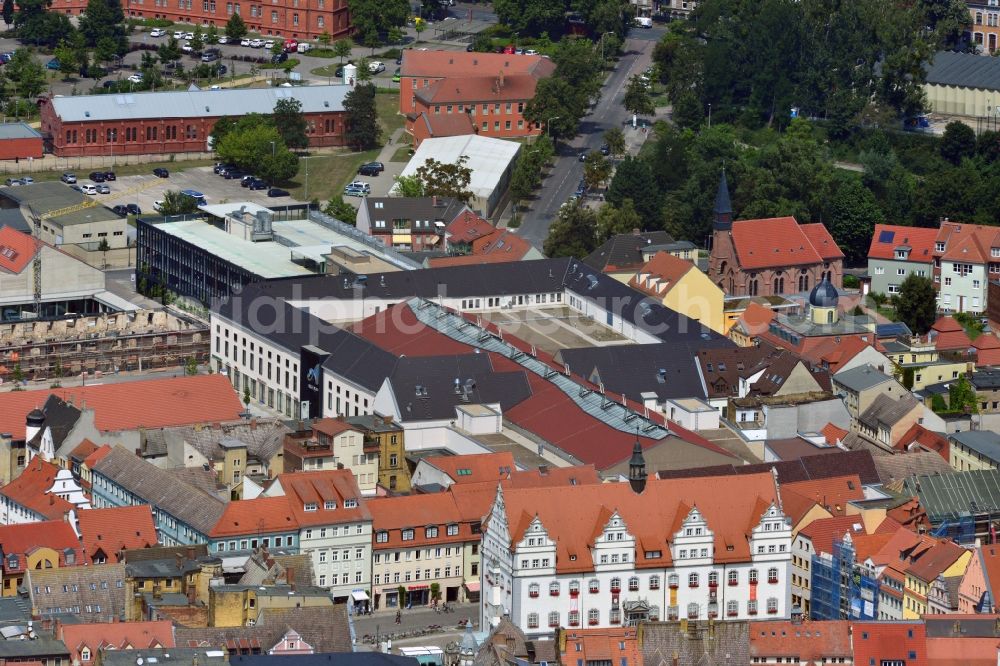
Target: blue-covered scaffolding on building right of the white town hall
{"x":841,"y":588}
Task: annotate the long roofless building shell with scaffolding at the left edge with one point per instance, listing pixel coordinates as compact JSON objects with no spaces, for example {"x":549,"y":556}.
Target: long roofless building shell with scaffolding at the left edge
{"x":105,"y":343}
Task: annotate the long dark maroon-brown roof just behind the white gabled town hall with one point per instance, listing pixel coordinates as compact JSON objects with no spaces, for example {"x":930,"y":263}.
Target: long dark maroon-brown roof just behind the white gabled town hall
{"x":803,"y":469}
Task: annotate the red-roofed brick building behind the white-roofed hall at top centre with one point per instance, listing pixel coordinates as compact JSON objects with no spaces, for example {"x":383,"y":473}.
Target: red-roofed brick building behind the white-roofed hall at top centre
{"x":444,"y":93}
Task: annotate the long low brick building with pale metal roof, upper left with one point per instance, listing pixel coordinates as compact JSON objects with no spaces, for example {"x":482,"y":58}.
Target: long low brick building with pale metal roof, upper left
{"x":177,"y":122}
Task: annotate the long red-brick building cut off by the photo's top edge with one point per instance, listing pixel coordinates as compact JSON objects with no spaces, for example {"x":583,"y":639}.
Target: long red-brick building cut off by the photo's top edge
{"x":300,"y":19}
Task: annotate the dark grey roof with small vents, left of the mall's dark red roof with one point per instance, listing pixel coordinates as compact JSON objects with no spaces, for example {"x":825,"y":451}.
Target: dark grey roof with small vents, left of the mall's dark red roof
{"x":436,"y":376}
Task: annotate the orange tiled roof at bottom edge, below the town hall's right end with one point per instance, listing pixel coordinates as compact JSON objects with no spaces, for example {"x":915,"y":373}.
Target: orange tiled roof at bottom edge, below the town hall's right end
{"x":811,"y":642}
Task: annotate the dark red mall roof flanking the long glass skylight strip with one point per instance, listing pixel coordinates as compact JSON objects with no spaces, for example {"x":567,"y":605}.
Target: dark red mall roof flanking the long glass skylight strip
{"x":548,"y":412}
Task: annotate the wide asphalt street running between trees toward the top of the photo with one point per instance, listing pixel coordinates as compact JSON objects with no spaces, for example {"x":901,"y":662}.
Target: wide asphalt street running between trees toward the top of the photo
{"x":567,"y":171}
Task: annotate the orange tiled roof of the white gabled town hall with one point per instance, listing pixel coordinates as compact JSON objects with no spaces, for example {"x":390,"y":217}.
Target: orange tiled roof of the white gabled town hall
{"x":574,"y":515}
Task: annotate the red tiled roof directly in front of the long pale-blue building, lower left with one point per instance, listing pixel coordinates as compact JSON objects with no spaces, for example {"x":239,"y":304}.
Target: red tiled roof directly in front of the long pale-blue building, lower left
{"x":112,"y":530}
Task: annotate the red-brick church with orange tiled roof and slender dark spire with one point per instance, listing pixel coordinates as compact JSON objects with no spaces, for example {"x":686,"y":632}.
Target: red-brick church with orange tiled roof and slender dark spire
{"x":769,"y":257}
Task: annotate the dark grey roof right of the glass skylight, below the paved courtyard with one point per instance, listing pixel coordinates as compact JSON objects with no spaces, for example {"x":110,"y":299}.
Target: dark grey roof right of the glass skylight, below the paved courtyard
{"x":636,"y":369}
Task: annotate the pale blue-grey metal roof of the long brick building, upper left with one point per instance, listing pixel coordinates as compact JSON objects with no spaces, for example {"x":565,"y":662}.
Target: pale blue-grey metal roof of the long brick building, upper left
{"x":196,"y":104}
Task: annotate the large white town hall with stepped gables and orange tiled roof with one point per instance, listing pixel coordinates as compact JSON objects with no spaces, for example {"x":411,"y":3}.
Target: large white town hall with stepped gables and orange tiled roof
{"x":614,"y":554}
